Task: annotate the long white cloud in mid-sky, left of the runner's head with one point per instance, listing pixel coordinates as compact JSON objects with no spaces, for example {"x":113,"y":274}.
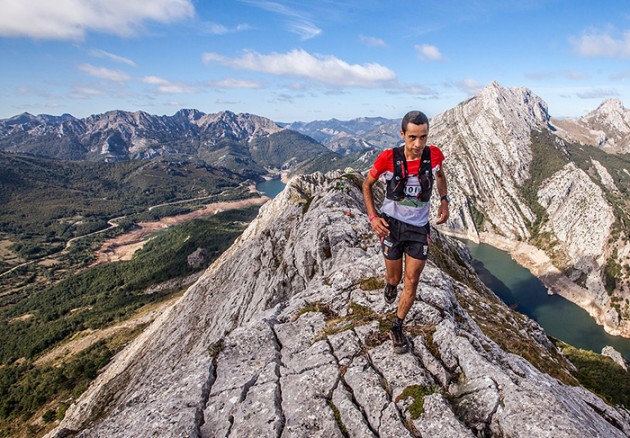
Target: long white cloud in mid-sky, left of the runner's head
{"x":323,"y":68}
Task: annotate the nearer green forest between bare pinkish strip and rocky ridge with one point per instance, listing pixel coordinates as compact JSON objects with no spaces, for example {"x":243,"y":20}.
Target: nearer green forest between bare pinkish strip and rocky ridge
{"x":93,"y":299}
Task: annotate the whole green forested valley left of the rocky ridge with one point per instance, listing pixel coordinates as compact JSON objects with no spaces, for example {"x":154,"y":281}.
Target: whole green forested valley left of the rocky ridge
{"x":55,"y":214}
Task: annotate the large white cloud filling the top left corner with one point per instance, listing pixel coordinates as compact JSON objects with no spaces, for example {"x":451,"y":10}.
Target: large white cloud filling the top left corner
{"x":71,"y":19}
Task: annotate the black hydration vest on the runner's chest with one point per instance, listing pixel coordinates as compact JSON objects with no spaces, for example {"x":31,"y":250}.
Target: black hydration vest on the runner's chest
{"x":396,"y":187}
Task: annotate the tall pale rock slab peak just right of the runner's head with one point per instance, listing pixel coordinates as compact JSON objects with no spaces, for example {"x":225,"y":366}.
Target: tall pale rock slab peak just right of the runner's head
{"x":487,"y":143}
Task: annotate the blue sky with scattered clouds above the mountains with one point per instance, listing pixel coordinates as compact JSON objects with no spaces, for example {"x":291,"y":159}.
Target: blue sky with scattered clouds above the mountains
{"x":292,"y":60}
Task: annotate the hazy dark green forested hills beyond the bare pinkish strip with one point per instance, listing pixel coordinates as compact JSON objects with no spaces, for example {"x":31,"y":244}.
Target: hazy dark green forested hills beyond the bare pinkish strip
{"x":46,"y":202}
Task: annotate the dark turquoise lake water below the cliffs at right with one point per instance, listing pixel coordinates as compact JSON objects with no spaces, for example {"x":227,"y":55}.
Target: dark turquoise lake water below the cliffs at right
{"x":560,"y":318}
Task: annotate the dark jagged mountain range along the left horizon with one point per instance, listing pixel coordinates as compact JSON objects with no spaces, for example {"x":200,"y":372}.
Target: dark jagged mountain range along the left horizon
{"x":244,"y":143}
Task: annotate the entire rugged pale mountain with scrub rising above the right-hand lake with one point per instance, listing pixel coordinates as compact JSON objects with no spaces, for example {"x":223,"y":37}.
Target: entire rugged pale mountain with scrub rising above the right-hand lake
{"x":516,"y":179}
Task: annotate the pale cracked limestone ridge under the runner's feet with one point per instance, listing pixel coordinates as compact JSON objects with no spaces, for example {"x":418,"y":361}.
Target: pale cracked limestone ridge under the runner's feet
{"x":286,"y":335}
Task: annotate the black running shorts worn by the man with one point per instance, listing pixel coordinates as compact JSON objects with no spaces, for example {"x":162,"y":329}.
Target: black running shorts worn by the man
{"x":405,"y":238}
